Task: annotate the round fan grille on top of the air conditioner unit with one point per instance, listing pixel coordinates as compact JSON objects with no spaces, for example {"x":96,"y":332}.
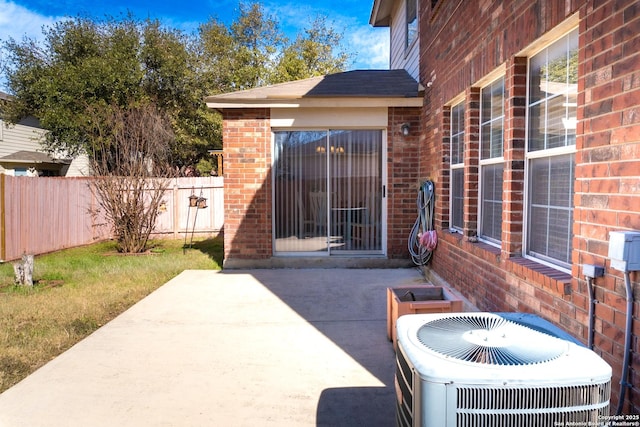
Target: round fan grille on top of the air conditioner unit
{"x":489,"y":339}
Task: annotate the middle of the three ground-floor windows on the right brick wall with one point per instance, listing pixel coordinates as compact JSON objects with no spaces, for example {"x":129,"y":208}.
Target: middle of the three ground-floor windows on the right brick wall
{"x":491,"y":160}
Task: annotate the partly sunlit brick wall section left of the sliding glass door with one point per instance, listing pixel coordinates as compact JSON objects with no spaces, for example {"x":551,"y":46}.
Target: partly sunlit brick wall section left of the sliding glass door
{"x":247,"y":195}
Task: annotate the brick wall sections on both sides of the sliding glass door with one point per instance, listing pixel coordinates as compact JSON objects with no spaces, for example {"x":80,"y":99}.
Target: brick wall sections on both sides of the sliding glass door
{"x":247,"y":142}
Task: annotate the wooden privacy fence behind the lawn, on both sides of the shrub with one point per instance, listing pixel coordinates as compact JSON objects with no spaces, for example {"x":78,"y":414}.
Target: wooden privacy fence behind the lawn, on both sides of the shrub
{"x":40,"y":215}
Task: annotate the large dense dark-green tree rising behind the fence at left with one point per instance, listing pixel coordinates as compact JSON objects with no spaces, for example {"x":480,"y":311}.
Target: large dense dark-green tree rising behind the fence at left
{"x":111,"y":63}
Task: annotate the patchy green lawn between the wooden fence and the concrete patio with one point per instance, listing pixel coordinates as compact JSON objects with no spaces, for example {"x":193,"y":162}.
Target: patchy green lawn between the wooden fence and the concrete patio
{"x":78,"y":290}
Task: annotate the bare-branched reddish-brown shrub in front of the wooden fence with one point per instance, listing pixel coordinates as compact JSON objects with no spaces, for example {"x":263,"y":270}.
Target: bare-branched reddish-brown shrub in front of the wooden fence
{"x":132,"y":160}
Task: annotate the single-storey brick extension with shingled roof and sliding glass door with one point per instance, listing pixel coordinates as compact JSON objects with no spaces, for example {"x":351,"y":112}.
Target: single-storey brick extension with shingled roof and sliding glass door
{"x":318,"y":171}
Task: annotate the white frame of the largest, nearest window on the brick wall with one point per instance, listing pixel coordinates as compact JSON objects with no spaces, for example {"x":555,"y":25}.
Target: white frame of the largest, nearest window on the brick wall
{"x":539,"y":154}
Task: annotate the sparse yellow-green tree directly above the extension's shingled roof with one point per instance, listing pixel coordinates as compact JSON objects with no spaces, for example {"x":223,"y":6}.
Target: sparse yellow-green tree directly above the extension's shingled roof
{"x":254,"y":52}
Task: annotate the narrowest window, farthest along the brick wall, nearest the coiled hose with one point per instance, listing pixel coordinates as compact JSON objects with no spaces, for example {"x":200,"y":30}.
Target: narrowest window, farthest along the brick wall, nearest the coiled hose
{"x":456,"y":196}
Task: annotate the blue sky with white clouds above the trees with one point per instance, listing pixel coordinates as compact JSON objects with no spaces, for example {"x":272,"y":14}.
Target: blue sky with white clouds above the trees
{"x":370,"y":45}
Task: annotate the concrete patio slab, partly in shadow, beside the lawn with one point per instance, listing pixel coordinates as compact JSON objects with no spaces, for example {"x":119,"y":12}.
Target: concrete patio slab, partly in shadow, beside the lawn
{"x":280,"y":347}
